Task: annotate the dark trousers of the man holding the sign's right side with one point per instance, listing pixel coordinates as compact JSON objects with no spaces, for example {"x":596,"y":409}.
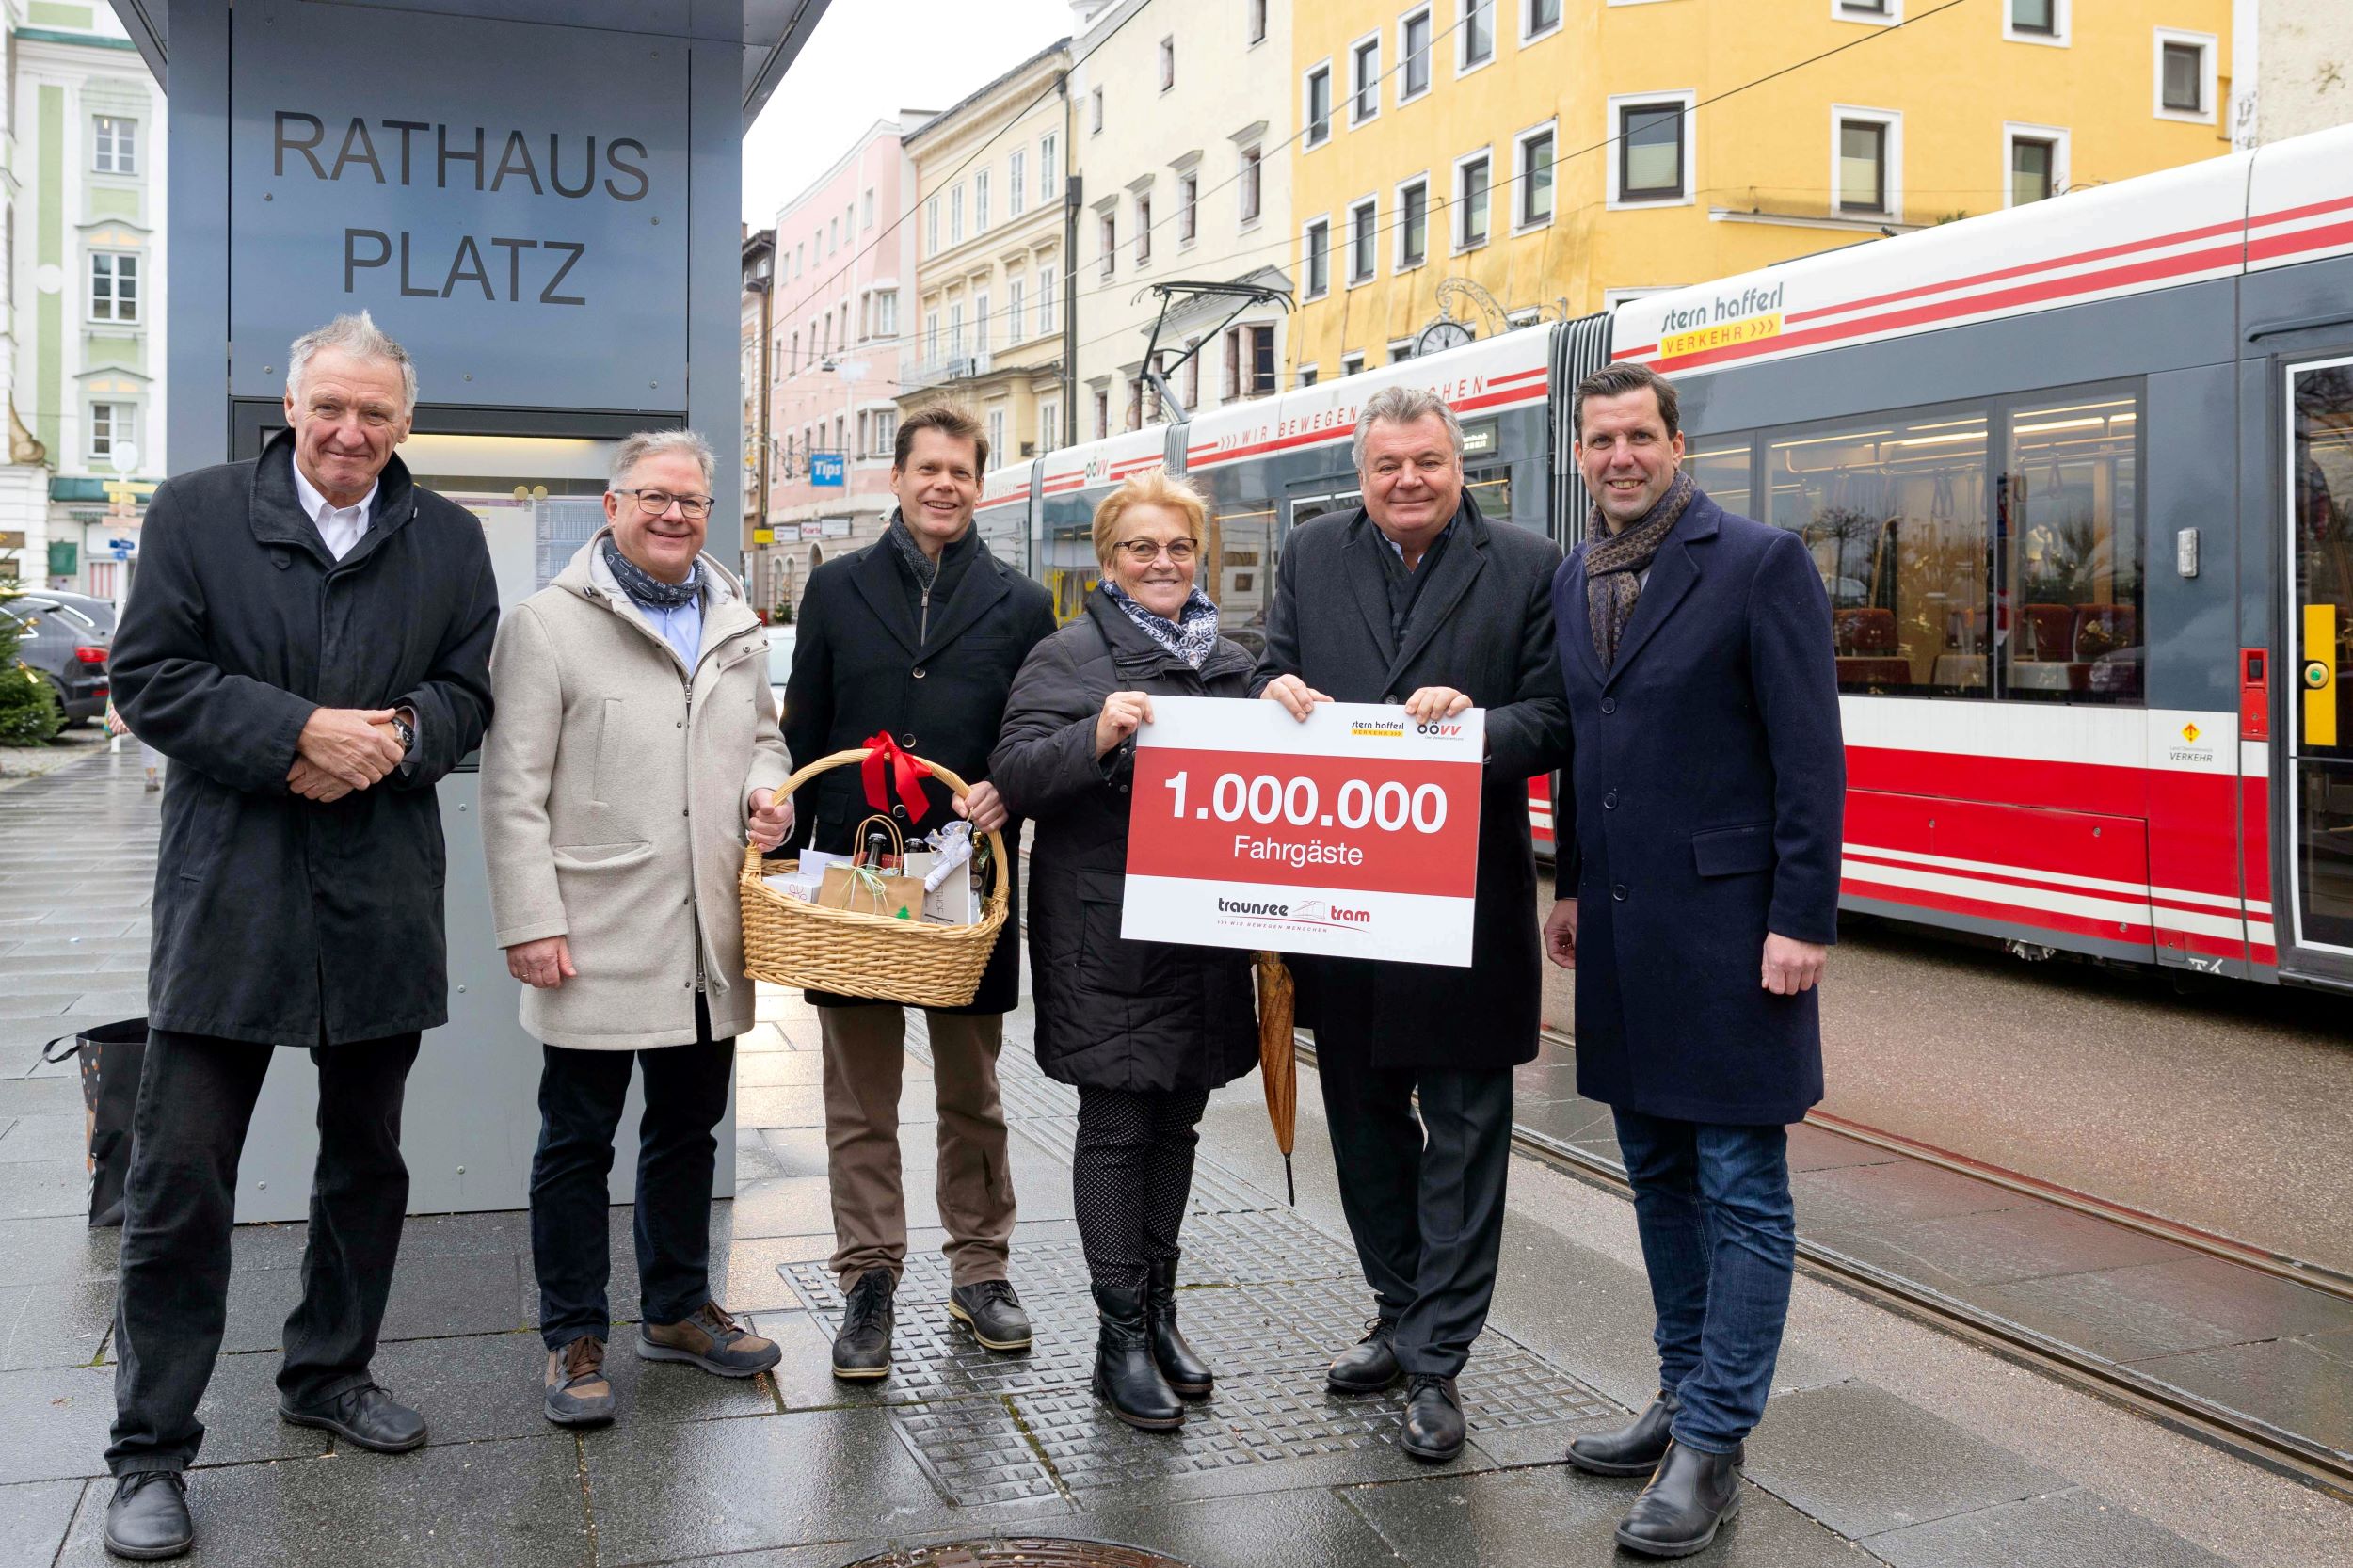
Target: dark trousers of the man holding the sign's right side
{"x":1425,"y":1197}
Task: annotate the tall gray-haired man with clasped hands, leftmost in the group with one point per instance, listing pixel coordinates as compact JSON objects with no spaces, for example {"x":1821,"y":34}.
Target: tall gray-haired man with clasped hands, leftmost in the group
{"x":309,"y":646}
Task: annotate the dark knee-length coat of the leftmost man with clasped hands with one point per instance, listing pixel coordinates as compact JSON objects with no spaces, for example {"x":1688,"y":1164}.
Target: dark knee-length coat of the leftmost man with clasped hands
{"x":281,"y":919}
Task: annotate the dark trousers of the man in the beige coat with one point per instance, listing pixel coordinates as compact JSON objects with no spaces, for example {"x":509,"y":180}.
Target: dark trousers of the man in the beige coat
{"x":580,"y":1108}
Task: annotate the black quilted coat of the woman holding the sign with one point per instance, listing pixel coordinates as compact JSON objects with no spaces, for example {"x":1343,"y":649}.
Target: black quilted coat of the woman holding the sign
{"x":1128,"y":1016}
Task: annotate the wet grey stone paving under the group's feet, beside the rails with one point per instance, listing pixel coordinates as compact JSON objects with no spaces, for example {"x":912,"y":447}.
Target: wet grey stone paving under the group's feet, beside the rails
{"x":1886,"y":1440}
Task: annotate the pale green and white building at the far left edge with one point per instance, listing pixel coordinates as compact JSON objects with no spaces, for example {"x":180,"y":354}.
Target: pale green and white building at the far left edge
{"x":84,"y":314}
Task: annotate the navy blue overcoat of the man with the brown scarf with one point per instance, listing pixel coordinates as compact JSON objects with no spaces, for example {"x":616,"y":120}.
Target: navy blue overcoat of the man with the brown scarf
{"x":1705,"y":811}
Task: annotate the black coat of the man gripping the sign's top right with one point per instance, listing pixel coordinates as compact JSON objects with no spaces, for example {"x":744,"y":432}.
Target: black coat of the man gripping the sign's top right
{"x":1486,"y":627}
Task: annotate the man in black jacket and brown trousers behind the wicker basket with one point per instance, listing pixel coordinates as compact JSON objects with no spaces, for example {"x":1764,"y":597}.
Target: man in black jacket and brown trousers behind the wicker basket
{"x":914,"y":644}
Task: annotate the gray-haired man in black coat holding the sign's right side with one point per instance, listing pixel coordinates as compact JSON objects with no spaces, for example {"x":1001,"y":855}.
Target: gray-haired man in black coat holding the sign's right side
{"x":1420,"y":602}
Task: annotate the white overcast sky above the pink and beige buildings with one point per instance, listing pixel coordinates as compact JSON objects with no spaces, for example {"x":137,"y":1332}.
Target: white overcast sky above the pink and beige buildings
{"x":872,"y":60}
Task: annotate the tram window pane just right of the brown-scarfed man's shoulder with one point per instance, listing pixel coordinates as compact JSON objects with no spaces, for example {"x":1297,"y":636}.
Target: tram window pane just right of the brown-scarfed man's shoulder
{"x":1895,"y":514}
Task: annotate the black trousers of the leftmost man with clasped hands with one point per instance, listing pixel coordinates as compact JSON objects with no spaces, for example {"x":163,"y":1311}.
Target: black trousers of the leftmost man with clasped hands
{"x":196,"y":1098}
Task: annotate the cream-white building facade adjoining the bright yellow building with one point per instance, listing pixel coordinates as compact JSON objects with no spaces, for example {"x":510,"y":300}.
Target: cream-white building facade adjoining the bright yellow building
{"x":1182,"y":145}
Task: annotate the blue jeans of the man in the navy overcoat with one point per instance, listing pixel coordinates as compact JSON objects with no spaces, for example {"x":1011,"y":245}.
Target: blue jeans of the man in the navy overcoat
{"x":1721,"y":1240}
